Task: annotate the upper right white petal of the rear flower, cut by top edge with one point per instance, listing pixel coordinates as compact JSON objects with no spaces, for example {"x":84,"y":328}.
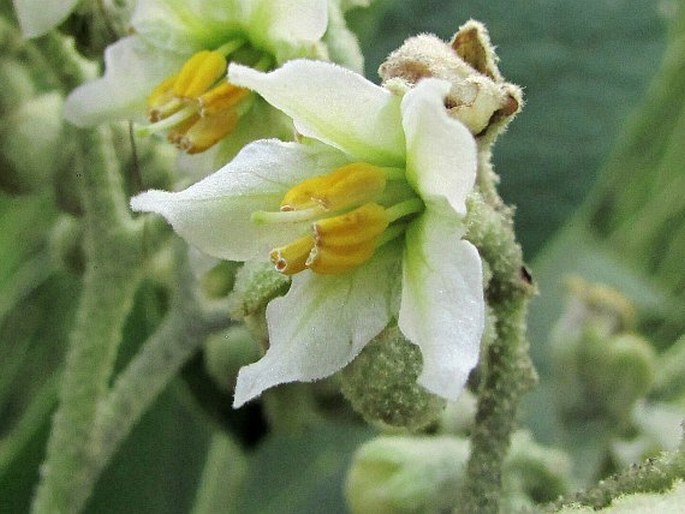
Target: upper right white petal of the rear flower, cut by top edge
{"x":289,"y":21}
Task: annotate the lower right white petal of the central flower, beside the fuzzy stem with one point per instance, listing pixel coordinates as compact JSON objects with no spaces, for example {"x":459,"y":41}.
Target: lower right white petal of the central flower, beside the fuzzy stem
{"x":442,"y":308}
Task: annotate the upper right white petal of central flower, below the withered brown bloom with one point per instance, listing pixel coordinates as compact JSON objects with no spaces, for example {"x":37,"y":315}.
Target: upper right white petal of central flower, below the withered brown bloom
{"x":441,"y":152}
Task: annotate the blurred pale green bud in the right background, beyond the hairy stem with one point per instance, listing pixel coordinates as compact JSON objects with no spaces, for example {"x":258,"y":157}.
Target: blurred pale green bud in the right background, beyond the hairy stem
{"x":601,"y":368}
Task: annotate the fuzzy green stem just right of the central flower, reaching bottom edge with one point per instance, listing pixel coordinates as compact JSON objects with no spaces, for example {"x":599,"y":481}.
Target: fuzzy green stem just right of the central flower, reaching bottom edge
{"x":506,"y":369}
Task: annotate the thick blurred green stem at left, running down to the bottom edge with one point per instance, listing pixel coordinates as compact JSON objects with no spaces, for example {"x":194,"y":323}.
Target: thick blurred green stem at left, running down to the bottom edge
{"x":113,"y":251}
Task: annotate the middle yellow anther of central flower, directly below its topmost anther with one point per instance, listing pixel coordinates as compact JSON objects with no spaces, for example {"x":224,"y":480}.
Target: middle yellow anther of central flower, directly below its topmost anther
{"x":362,"y":224}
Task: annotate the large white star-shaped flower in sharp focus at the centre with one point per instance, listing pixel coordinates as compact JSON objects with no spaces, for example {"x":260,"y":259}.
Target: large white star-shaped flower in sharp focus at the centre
{"x":367,"y":219}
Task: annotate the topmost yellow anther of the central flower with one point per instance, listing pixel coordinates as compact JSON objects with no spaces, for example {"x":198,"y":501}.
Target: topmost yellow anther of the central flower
{"x":347,"y":186}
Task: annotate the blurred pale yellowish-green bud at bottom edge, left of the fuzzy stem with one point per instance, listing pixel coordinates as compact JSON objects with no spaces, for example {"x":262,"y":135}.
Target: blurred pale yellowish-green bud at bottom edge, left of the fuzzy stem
{"x":398,"y":475}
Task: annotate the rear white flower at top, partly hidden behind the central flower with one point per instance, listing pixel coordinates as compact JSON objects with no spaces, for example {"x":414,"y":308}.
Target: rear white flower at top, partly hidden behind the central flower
{"x":173,"y":67}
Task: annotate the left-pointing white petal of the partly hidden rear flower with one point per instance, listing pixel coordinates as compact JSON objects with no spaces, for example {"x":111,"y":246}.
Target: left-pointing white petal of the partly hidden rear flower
{"x":132,"y":69}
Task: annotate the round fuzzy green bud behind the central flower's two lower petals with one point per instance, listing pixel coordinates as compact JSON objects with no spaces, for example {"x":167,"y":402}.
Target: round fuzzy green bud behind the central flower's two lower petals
{"x":380,"y":383}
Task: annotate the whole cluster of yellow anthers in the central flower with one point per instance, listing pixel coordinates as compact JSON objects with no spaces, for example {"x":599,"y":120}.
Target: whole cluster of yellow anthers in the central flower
{"x":347,"y":222}
